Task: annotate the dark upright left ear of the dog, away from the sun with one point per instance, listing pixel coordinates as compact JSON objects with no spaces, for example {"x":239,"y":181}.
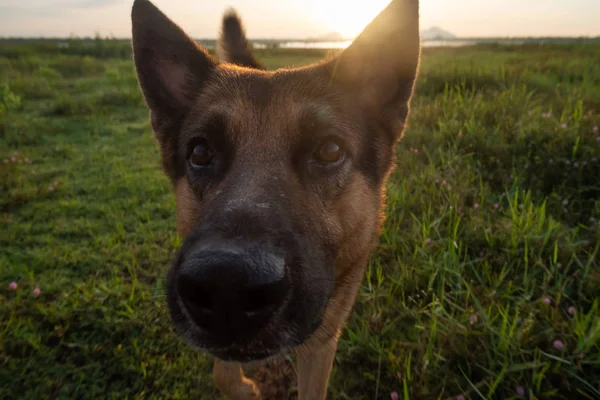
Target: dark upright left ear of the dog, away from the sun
{"x":171,"y":67}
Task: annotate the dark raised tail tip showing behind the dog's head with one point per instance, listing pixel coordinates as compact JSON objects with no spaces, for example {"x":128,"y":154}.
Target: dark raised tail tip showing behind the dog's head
{"x":233,"y":47}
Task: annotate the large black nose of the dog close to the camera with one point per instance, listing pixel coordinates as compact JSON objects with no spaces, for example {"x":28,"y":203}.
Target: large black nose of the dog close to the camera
{"x":232,"y":292}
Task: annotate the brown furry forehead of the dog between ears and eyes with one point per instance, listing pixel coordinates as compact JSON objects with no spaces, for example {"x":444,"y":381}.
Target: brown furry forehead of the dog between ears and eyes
{"x":272,"y":105}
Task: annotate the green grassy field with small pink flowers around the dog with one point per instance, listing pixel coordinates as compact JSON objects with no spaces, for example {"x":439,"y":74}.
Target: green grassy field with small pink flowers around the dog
{"x":485,"y":283}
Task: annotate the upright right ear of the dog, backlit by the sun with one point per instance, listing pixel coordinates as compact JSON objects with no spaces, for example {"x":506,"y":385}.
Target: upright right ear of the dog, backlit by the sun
{"x":380,"y":66}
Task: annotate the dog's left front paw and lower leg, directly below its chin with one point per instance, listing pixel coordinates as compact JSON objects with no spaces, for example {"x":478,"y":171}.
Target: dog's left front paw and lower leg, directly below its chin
{"x":229,"y":378}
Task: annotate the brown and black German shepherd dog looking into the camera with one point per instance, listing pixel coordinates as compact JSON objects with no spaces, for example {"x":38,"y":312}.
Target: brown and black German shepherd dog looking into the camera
{"x":279,"y":178}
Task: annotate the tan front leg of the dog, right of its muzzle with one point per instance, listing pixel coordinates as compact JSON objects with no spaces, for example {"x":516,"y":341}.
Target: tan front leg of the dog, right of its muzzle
{"x":315,"y":357}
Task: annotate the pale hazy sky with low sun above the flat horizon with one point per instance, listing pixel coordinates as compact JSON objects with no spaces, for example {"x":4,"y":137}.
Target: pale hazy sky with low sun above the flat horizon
{"x":302,"y":18}
